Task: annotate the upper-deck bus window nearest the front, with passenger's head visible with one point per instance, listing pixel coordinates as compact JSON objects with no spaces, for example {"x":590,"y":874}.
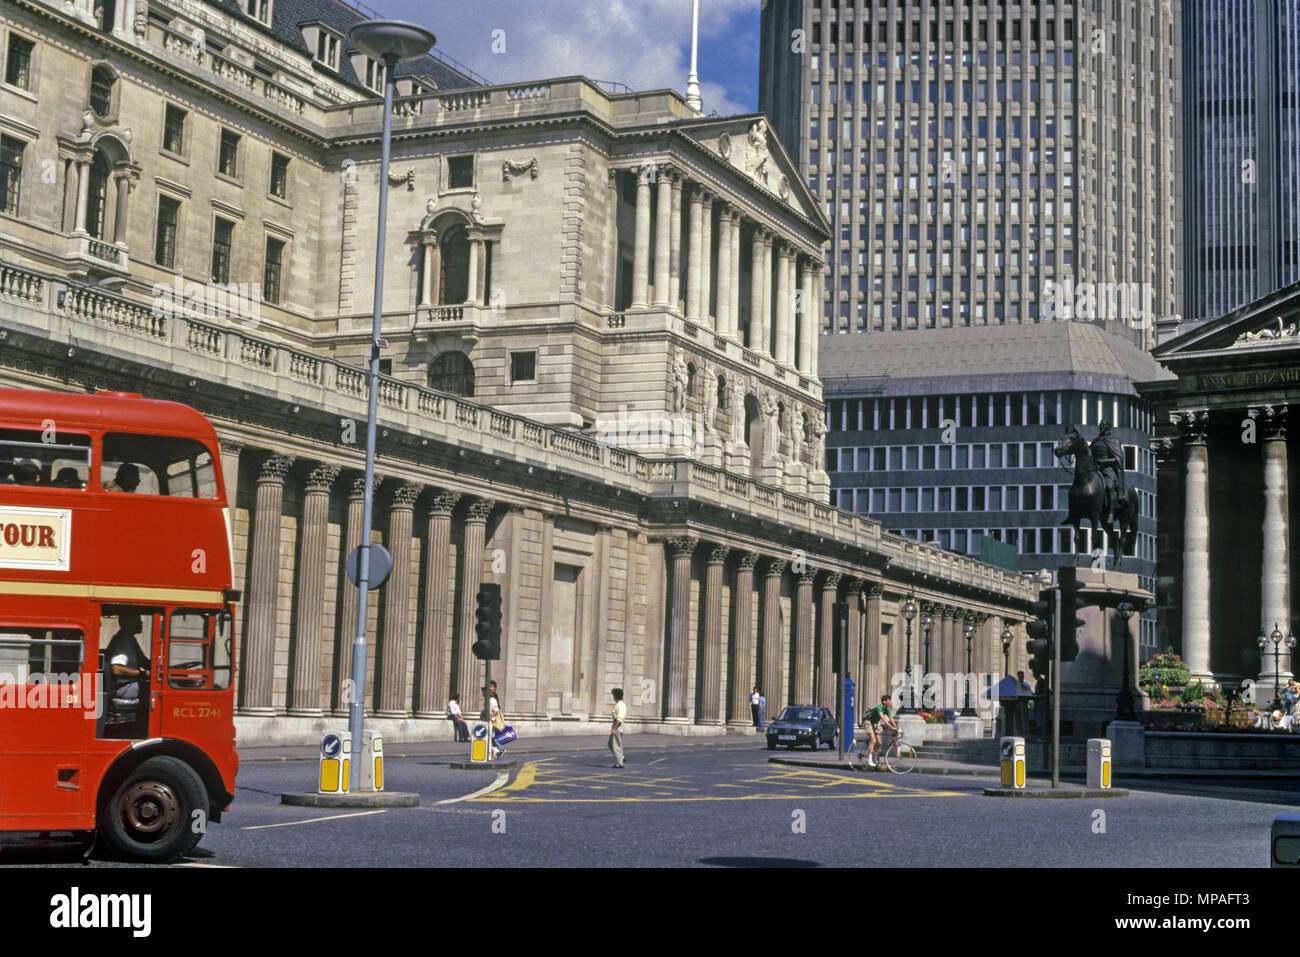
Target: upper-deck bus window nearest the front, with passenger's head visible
{"x":158,"y":466}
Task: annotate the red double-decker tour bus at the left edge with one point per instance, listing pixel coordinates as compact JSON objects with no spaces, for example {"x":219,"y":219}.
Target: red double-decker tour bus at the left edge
{"x":116,"y":622}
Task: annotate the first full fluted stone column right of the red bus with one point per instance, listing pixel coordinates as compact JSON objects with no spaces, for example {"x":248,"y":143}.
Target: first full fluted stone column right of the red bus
{"x":259,"y":668}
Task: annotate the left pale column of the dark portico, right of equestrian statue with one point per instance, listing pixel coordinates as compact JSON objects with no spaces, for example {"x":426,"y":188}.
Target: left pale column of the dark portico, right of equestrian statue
{"x":1197,"y":544}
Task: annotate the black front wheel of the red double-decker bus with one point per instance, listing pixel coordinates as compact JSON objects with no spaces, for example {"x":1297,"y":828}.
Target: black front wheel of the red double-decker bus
{"x":151,"y":816}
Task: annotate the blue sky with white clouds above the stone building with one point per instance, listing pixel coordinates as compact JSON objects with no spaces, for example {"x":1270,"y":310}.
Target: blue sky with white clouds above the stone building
{"x":643,"y":44}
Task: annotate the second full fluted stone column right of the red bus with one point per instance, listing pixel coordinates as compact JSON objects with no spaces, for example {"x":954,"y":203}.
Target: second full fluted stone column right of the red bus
{"x":306,"y":694}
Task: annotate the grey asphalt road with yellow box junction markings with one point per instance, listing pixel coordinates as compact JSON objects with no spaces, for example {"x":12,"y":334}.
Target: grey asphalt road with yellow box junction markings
{"x":722,"y":807}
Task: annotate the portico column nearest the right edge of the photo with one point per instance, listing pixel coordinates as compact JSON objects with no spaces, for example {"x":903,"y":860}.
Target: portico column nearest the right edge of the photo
{"x":1276,"y":575}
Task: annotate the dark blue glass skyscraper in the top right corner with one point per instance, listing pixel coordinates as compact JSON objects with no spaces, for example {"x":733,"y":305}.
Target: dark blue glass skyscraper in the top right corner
{"x":1241,"y":153}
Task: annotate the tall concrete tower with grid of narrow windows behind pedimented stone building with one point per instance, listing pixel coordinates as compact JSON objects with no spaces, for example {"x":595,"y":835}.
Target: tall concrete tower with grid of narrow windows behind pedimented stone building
{"x":970,"y":154}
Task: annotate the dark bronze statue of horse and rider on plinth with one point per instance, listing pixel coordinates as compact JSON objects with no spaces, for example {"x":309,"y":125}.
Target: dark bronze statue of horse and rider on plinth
{"x":1100,"y":493}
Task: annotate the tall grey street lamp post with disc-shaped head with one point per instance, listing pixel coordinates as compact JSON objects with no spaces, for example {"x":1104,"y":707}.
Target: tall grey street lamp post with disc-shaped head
{"x":391,"y":42}
